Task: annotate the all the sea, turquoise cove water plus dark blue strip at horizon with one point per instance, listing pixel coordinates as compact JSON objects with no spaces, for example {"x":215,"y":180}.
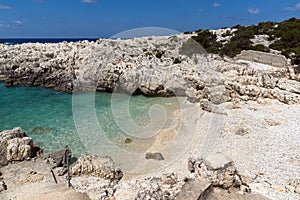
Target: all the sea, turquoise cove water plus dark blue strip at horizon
{"x":49,"y":116}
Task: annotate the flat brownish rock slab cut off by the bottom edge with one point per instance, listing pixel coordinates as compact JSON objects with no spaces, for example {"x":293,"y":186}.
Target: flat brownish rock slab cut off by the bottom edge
{"x":195,"y":190}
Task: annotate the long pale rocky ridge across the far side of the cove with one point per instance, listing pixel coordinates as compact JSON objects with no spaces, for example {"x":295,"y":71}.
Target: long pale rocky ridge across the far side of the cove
{"x":153,"y":66}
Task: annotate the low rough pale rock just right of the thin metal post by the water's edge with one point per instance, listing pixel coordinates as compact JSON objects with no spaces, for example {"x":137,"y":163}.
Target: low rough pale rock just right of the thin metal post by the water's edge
{"x":102,"y":167}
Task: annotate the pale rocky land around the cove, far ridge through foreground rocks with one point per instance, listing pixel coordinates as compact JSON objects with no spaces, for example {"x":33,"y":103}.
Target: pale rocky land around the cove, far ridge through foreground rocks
{"x":258,"y":105}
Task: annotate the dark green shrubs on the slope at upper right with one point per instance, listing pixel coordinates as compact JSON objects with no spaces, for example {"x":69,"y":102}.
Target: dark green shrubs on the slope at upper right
{"x":285,"y":37}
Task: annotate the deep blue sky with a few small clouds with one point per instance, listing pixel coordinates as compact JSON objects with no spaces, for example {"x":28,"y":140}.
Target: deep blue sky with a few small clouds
{"x":104,"y":18}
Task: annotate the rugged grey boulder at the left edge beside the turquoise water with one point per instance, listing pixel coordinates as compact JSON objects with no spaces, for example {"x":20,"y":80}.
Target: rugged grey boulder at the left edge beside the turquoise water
{"x":15,"y":145}
